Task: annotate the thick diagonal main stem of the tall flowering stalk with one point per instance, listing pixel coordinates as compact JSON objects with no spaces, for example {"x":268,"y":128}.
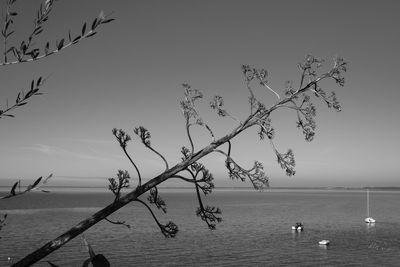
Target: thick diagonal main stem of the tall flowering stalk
{"x":188,"y":160}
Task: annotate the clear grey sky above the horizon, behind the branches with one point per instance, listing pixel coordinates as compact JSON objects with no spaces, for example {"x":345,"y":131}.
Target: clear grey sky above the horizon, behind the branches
{"x":130,"y":74}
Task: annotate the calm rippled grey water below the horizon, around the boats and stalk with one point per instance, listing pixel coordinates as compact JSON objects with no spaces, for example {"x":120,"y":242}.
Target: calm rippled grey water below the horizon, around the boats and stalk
{"x":256,"y":230}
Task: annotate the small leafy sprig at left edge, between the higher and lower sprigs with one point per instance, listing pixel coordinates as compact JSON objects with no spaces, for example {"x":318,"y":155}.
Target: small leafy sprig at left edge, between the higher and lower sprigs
{"x":23,"y":97}
